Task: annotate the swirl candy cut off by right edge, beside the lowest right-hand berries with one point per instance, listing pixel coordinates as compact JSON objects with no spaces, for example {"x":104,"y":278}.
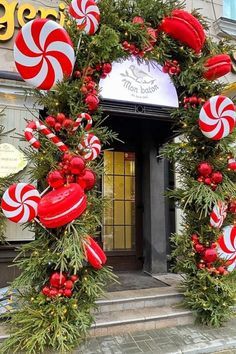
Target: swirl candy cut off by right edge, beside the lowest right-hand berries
{"x":227,"y":247}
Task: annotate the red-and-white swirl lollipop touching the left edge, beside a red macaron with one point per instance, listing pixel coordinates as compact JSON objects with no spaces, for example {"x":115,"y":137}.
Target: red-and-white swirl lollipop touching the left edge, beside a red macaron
{"x":20,"y":203}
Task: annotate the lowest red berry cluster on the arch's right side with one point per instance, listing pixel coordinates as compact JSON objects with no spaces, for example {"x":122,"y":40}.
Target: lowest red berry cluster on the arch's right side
{"x":208,"y":256}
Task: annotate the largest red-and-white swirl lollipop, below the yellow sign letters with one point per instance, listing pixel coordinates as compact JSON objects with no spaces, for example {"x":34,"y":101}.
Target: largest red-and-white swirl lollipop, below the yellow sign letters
{"x":43,"y":53}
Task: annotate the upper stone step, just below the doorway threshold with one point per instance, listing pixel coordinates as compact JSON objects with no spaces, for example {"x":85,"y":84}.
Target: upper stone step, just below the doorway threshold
{"x":136,"y":299}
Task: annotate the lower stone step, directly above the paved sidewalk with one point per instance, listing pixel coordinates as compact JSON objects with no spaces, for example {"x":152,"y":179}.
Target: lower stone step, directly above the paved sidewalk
{"x":118,"y":322}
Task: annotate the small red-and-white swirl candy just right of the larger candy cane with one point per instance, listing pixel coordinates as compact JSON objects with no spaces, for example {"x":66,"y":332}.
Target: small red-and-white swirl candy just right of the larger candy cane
{"x":90,"y":147}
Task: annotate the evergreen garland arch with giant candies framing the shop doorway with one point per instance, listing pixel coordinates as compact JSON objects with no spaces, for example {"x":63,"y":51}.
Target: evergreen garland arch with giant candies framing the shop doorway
{"x":63,"y":270}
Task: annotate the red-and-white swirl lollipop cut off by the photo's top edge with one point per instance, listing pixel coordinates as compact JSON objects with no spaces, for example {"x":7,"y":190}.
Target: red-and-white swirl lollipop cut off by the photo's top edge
{"x":87,"y":15}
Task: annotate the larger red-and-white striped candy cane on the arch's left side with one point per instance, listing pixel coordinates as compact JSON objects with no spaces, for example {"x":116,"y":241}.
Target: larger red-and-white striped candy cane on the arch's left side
{"x":40,"y":127}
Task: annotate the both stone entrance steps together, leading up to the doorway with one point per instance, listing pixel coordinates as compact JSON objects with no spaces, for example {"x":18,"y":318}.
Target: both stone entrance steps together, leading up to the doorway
{"x":137,"y":310}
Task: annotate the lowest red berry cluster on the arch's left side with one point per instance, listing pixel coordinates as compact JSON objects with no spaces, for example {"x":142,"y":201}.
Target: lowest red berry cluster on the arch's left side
{"x":60,"y":285}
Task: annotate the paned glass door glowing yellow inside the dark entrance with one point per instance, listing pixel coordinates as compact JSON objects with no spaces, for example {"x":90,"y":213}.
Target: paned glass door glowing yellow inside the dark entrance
{"x":121,"y":232}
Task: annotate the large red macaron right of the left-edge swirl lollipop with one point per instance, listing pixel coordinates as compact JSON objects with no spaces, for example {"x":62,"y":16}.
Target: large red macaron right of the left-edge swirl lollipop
{"x":61,"y":206}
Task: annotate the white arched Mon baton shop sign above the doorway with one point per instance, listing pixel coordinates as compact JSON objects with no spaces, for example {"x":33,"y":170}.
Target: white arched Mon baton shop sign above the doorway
{"x":139,"y":82}
